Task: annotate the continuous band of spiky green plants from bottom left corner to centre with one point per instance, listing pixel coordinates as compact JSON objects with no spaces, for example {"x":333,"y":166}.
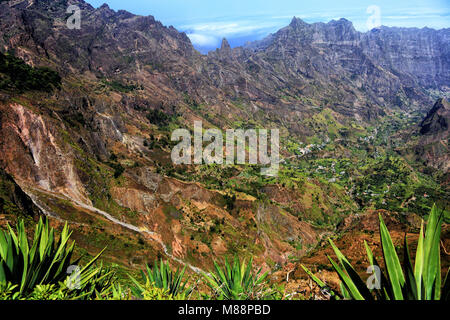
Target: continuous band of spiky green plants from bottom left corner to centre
{"x":40,"y":272}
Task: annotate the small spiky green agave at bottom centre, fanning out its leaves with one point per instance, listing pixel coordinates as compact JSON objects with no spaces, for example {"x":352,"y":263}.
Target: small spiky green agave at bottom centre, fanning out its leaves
{"x":237,"y":281}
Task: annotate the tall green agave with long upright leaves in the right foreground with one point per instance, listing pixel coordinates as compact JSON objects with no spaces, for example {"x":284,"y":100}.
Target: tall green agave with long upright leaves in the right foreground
{"x":421,"y":282}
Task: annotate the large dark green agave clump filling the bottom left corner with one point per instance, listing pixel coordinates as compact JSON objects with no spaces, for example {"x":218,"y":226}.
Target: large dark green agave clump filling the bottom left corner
{"x":45,"y":261}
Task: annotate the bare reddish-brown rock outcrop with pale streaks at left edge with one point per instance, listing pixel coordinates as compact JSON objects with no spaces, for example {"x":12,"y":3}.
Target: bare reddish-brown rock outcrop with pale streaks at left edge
{"x":33,"y":151}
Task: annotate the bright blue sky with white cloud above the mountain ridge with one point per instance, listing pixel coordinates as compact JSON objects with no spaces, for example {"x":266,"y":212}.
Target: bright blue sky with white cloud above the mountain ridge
{"x":206,"y":22}
